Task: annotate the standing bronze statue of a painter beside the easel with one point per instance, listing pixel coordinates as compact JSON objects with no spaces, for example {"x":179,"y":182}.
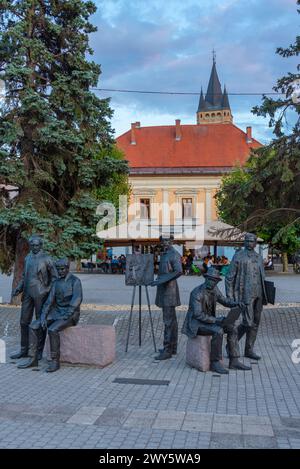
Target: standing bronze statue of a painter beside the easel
{"x":167,"y":296}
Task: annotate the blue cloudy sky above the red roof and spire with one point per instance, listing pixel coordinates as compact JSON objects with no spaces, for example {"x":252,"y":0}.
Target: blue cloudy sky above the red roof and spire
{"x":159,"y":45}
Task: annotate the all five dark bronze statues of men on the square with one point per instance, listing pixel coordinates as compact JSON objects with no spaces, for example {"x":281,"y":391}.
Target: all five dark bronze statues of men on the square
{"x":55,"y":295}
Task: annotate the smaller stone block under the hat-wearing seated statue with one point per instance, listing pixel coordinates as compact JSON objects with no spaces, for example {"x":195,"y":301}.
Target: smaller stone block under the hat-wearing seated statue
{"x":198,"y":352}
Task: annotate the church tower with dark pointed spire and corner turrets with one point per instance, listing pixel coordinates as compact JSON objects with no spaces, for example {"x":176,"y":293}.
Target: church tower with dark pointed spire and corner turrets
{"x":215,"y":107}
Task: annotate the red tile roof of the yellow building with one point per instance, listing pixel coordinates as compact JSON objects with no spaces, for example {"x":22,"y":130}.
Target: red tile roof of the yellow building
{"x":201,"y":146}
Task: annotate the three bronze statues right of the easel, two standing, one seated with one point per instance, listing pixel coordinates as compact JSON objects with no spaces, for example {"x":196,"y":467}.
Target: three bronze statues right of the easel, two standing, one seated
{"x":245,"y":294}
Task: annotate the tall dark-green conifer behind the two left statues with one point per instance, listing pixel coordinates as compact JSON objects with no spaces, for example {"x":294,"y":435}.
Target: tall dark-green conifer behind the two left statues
{"x":56,"y":142}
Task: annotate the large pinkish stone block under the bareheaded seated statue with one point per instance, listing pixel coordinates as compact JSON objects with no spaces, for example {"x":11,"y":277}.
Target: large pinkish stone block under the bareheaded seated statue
{"x":87,"y":345}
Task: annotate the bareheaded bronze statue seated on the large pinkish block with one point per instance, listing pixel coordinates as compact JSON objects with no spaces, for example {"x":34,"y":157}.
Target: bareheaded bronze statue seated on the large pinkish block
{"x":60,"y":310}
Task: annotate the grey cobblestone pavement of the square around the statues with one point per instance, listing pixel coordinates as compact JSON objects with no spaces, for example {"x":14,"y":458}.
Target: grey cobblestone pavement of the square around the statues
{"x":82,"y":407}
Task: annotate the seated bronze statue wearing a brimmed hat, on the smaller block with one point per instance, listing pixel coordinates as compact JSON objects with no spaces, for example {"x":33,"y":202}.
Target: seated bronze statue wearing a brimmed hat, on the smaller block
{"x":201,"y":320}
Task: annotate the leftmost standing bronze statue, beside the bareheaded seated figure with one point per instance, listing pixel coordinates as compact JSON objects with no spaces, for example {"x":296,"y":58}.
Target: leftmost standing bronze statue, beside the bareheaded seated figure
{"x":38,"y":275}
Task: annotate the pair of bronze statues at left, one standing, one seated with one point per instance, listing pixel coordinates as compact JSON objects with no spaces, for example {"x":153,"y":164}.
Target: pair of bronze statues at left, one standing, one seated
{"x":55,"y":295}
